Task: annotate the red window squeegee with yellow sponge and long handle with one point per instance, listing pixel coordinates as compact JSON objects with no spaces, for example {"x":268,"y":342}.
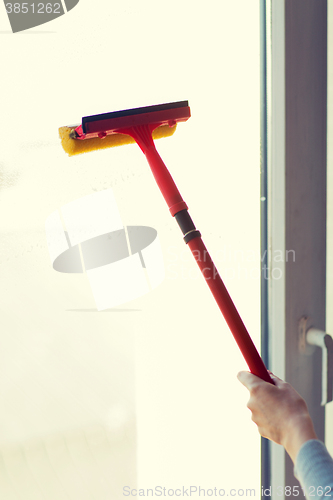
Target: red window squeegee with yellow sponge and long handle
{"x":143,"y":125}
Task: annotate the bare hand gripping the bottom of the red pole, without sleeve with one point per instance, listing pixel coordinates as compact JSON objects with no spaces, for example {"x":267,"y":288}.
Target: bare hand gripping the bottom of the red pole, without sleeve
{"x":280,"y":413}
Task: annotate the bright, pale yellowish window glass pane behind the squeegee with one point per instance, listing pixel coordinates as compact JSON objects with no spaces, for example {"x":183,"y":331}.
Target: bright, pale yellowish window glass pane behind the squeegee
{"x":143,"y":392}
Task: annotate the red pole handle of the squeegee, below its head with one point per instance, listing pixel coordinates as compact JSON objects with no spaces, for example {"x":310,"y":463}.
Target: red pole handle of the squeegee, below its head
{"x":201,"y":255}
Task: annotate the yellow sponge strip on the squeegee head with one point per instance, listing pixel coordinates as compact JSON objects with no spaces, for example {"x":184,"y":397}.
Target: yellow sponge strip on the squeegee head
{"x":76,"y":146}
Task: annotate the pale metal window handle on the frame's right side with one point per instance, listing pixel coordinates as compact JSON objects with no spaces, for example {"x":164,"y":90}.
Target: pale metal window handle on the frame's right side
{"x":325,"y":341}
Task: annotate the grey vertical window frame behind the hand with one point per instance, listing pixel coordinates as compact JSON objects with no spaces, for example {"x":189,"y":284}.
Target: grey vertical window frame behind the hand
{"x":296,"y":176}
